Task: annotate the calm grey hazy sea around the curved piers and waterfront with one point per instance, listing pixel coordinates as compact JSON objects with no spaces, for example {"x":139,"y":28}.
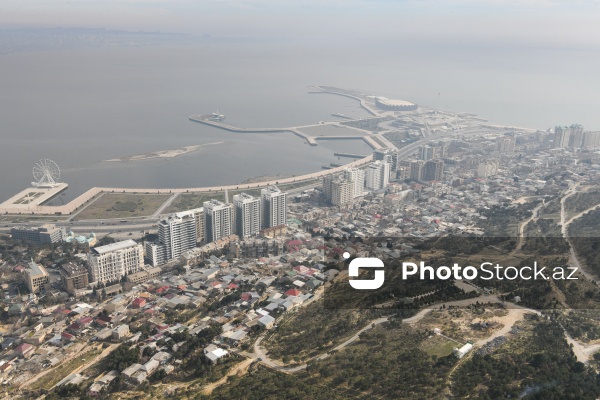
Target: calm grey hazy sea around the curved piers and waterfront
{"x":82,"y":106}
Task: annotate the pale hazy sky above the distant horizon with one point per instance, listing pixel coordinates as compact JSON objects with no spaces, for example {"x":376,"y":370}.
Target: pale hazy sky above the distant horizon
{"x":542,"y":22}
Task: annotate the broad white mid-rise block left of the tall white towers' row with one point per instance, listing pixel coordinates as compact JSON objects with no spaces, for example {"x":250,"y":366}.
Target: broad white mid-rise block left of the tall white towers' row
{"x":113,"y":261}
